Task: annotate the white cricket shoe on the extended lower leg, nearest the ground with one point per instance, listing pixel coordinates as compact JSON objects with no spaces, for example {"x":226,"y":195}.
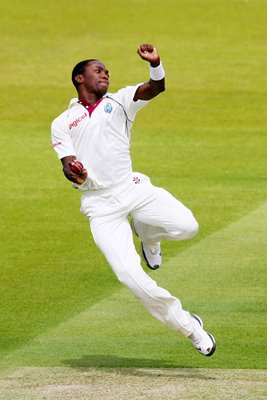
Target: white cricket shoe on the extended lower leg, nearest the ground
{"x":203,"y":341}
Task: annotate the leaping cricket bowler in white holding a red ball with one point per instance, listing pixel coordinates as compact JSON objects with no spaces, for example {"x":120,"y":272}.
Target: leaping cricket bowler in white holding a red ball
{"x":92,"y":140}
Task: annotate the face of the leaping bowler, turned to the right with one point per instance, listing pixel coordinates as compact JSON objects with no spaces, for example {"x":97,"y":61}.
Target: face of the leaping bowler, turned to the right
{"x":95,"y":78}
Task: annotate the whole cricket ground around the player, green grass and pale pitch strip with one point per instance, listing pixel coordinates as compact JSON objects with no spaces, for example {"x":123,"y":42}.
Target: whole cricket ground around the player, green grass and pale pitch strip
{"x":68,"y":329}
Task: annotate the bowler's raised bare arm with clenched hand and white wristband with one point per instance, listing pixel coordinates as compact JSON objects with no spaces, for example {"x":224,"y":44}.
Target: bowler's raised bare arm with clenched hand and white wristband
{"x":156,"y":84}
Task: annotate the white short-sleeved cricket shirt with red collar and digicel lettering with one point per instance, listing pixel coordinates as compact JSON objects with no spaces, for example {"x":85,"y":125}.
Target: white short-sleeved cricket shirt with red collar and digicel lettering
{"x":101,"y":141}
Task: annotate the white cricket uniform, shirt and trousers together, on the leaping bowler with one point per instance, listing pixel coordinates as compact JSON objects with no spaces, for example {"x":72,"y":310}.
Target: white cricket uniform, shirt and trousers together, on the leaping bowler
{"x":112,"y":192}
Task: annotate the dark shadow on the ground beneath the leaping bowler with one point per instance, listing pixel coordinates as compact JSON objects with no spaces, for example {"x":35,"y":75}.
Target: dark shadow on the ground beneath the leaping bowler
{"x":132,"y":366}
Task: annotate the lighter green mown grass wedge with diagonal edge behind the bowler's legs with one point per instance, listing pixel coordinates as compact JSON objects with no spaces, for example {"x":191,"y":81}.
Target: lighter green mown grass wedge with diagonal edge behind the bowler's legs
{"x":214,"y":277}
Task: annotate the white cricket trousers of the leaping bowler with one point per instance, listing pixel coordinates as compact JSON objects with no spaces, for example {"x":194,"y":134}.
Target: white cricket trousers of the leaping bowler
{"x":158,"y":216}
